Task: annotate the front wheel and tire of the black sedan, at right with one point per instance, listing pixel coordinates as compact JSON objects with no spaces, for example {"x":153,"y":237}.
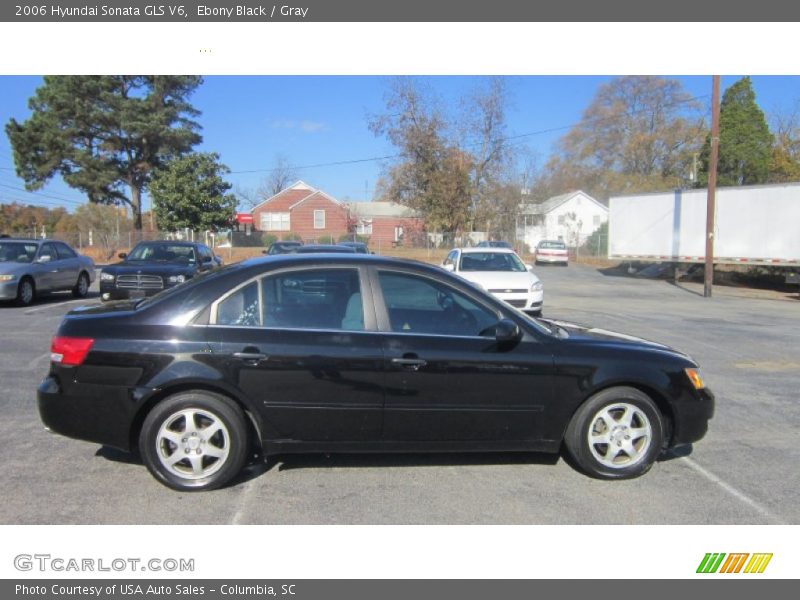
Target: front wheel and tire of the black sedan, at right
{"x":627,"y":429}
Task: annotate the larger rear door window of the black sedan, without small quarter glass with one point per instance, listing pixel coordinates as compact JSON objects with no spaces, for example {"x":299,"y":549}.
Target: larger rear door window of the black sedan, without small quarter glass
{"x":314,"y":299}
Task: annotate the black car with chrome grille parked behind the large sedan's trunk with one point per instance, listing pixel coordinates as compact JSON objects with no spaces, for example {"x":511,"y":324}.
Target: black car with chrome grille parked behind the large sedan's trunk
{"x":155,"y":266}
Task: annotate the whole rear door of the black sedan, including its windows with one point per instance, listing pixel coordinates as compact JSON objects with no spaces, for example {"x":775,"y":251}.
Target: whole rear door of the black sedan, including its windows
{"x":301,"y":344}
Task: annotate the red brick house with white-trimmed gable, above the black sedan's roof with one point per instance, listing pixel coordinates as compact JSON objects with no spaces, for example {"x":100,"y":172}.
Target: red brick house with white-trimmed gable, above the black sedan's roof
{"x":304,"y":211}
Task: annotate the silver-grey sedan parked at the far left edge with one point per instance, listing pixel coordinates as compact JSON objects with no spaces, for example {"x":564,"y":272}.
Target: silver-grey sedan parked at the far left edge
{"x":31,"y":267}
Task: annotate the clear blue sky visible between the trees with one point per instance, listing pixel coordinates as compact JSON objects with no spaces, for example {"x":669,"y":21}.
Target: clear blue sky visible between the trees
{"x":319,"y":120}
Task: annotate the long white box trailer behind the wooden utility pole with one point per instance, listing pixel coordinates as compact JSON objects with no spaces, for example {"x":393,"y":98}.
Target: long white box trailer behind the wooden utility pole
{"x":757,"y":225}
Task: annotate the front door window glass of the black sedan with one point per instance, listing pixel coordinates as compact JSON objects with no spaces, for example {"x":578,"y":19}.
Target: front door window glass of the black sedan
{"x":420,"y":305}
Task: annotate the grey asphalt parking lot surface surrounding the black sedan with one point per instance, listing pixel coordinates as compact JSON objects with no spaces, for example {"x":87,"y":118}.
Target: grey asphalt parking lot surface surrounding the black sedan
{"x":744,"y":472}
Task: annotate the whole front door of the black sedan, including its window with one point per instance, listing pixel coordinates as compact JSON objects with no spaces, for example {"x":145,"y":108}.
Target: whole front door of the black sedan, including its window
{"x":447,"y":379}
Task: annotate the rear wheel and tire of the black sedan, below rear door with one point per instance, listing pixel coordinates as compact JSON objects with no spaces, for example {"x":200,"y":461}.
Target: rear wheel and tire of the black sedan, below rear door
{"x":200,"y":454}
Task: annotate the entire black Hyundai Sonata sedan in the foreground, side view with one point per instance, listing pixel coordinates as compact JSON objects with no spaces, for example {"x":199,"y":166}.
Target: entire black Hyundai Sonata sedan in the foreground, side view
{"x":357,"y":353}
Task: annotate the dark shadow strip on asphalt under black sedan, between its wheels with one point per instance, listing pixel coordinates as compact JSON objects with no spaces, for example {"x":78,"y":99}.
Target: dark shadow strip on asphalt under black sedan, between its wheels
{"x":285,"y":462}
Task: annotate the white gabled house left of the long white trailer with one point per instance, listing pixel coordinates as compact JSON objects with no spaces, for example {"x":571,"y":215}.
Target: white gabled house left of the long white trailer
{"x":570,"y":218}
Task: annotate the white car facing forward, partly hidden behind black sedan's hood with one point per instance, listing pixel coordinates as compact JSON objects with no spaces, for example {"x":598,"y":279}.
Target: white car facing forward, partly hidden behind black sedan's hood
{"x":501,"y":272}
